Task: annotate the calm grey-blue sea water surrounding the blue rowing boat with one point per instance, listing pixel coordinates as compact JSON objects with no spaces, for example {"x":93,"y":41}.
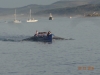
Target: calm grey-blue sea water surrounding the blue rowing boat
{"x":80,"y":56}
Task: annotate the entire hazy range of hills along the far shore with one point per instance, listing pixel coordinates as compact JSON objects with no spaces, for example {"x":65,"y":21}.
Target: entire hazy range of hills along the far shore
{"x":63,"y":7}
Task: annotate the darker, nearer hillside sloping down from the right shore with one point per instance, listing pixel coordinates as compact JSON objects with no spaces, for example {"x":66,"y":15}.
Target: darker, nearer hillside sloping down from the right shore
{"x":79,"y":10}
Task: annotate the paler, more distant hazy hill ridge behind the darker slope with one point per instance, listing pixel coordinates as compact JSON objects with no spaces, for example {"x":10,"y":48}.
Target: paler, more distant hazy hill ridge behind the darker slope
{"x":36,"y":8}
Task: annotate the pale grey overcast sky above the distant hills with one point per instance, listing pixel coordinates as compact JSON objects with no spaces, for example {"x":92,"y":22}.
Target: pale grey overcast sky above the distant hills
{"x":20,"y":3}
